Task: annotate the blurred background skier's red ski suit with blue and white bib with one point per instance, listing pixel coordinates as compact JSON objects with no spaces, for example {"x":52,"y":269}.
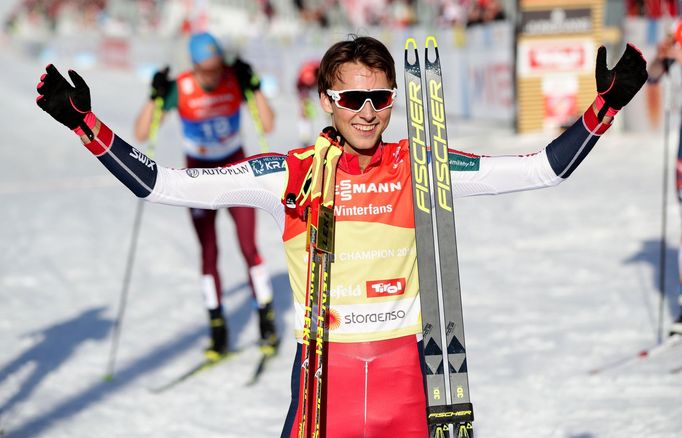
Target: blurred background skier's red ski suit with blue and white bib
{"x":210,"y":125}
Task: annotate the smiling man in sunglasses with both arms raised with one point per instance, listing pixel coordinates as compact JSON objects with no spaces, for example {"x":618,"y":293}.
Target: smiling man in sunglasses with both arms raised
{"x":374,"y":377}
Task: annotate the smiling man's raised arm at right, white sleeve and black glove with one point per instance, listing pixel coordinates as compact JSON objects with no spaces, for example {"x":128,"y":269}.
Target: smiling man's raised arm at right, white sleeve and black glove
{"x":479,"y":175}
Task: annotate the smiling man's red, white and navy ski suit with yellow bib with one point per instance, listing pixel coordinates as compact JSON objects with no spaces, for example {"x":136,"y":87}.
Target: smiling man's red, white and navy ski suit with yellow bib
{"x":374,"y":374}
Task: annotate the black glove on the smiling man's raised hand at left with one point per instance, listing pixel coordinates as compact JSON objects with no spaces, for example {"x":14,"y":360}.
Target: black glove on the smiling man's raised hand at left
{"x":69,"y":105}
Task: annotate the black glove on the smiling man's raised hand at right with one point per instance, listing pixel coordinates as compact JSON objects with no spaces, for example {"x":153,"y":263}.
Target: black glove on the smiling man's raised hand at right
{"x":618,"y":86}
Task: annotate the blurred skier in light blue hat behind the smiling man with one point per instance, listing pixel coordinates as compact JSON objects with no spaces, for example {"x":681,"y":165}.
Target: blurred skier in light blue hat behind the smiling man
{"x":208,"y":99}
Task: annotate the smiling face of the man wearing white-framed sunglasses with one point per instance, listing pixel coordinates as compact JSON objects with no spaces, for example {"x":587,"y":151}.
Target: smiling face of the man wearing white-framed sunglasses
{"x":362,"y":130}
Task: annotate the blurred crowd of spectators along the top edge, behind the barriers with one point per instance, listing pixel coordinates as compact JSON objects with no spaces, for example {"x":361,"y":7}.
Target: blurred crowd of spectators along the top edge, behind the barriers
{"x":85,"y":14}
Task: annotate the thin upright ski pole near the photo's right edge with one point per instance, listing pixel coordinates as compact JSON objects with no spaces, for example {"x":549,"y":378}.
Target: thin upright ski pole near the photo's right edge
{"x":664,"y":206}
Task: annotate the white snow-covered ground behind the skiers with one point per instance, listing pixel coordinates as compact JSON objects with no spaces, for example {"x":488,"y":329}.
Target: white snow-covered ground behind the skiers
{"x":555,"y":283}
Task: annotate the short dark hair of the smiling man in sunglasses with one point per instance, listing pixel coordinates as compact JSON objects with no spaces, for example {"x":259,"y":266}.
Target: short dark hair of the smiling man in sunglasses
{"x":365,"y":50}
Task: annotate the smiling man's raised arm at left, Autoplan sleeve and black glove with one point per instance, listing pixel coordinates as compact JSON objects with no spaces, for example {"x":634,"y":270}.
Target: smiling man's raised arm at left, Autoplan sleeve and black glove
{"x":256,"y":182}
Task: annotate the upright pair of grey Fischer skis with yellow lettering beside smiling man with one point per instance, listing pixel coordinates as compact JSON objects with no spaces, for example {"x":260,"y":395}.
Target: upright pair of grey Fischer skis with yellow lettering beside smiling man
{"x":449,"y":408}
